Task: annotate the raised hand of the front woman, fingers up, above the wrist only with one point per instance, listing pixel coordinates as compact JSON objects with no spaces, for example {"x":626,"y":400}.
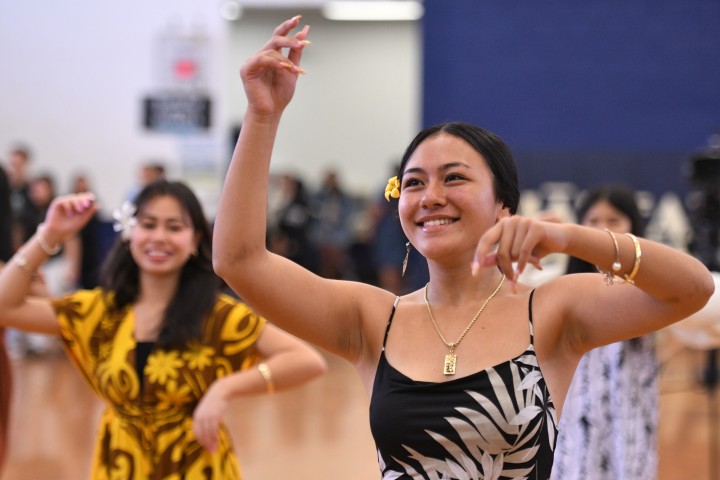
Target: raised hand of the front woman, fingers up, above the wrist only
{"x":269,"y":77}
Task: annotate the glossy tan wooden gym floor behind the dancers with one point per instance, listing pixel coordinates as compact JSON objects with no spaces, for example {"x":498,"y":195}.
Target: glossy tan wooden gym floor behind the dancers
{"x":318,"y":431}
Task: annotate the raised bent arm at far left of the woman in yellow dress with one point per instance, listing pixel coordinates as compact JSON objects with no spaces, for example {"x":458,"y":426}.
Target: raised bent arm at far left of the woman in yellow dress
{"x":18,"y":308}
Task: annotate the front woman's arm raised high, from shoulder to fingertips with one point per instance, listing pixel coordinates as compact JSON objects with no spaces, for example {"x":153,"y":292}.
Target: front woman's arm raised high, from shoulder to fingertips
{"x":321,"y":311}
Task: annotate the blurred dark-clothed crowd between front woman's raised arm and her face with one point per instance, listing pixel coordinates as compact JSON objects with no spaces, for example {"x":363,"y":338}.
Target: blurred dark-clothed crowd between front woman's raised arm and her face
{"x":338,"y":235}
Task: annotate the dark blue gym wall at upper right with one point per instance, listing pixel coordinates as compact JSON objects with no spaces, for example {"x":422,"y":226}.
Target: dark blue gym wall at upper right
{"x":582,"y":91}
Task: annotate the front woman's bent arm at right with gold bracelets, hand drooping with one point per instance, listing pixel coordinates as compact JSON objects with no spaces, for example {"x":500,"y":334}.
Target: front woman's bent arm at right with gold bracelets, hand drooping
{"x":666,"y":285}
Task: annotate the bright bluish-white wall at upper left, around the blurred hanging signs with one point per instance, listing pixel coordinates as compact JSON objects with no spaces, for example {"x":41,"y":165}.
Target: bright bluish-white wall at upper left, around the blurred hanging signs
{"x":73,"y":76}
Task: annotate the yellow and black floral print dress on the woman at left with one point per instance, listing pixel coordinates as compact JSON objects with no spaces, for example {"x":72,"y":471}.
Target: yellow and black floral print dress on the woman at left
{"x":146,"y":430}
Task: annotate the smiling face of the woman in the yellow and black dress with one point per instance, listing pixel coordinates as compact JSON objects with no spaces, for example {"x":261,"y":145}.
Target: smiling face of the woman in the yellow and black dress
{"x":164,"y":238}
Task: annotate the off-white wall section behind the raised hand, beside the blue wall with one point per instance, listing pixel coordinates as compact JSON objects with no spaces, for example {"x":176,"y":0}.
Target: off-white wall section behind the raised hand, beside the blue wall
{"x":358,"y":106}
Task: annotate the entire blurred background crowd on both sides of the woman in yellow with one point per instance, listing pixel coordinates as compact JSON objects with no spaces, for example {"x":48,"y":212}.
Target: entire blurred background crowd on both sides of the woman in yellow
{"x":326,"y":229}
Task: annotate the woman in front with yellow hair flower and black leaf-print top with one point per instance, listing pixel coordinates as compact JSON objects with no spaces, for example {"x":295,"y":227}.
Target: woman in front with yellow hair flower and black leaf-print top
{"x":467,"y":375}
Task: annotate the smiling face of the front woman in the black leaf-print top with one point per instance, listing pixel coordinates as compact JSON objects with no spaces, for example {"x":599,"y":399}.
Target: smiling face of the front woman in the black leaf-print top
{"x":448,"y":200}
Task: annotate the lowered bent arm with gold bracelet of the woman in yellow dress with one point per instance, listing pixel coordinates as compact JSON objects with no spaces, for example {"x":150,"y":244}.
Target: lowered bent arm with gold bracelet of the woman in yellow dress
{"x":286,"y":362}
